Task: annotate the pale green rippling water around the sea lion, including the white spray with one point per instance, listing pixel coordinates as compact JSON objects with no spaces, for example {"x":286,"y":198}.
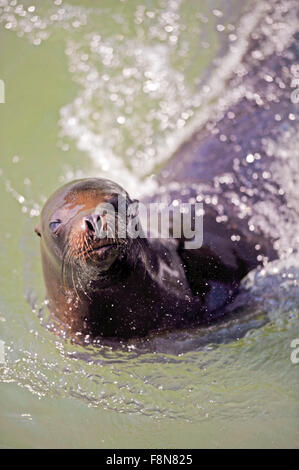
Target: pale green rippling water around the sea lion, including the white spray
{"x":80,"y":100}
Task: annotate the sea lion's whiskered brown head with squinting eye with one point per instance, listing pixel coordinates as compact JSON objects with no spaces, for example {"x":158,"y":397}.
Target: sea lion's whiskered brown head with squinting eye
{"x":84,"y":231}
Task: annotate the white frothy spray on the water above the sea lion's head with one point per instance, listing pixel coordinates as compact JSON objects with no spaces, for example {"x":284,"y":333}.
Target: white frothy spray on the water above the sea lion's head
{"x":141,"y":89}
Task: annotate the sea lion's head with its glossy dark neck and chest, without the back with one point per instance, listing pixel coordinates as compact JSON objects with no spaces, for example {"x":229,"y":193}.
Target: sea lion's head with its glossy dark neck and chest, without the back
{"x":111,"y":286}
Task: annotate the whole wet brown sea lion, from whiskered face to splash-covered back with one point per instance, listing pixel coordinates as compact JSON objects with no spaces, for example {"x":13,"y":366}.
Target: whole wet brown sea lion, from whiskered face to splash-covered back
{"x":240,"y":164}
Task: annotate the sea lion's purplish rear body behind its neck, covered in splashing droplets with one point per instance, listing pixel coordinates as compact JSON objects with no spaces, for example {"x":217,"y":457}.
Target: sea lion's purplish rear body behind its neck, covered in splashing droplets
{"x":243,"y":163}
